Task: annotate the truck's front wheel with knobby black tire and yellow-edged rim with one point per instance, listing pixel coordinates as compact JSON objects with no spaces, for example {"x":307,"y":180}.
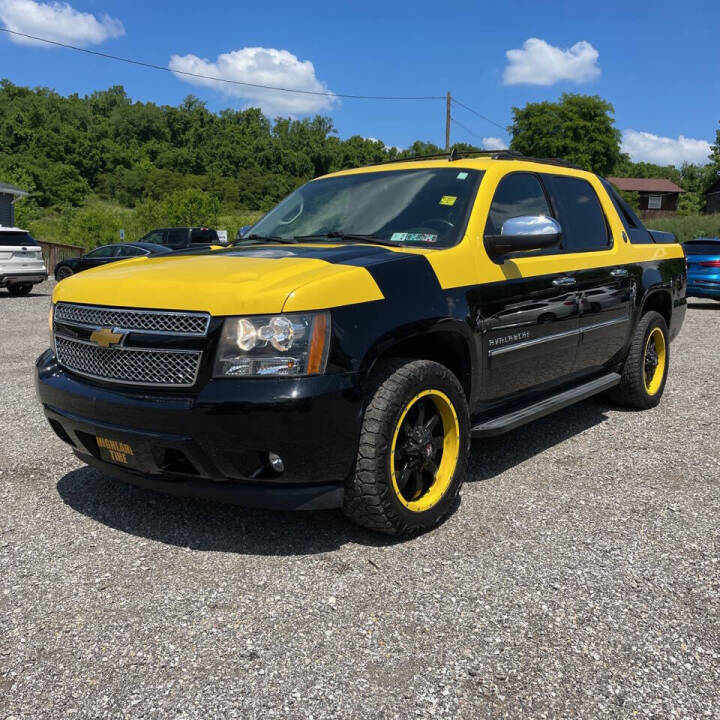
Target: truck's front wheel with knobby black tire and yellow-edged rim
{"x":401,"y":390}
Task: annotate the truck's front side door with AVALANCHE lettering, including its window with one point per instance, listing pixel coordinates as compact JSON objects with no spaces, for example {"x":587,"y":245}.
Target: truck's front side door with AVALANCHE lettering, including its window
{"x":530,"y":324}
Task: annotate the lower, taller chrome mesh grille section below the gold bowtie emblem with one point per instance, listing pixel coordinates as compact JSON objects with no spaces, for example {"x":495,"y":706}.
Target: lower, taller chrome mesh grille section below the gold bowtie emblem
{"x":134,"y":366}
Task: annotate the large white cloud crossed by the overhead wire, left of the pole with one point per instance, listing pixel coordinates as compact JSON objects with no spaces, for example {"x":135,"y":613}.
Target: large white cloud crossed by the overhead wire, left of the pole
{"x":260,"y":66}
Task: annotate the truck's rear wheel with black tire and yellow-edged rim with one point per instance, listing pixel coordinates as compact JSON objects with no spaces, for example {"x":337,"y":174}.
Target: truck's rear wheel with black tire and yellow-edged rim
{"x":636,"y":389}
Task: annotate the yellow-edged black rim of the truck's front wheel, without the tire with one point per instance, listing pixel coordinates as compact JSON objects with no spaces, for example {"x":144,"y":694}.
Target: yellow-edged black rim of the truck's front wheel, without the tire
{"x":424,"y":450}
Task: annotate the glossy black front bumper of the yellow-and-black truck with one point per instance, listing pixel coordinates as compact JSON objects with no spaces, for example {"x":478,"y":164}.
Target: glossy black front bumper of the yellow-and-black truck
{"x":214,"y":443}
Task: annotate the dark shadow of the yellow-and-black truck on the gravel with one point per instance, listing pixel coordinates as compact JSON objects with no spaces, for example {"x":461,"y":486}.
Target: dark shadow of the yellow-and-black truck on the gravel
{"x":205,"y":525}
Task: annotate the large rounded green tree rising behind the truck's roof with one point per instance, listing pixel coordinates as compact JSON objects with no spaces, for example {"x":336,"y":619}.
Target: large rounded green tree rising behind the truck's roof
{"x":578,"y":128}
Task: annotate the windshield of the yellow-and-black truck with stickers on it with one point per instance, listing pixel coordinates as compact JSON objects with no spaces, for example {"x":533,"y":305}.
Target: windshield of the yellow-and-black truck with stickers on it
{"x":410,"y":207}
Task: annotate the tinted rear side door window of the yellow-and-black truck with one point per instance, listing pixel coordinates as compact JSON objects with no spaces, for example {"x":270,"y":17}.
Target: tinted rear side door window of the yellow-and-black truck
{"x":579,"y":213}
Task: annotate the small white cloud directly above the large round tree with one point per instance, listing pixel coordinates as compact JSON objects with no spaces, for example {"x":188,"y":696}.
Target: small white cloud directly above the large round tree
{"x":539,"y":63}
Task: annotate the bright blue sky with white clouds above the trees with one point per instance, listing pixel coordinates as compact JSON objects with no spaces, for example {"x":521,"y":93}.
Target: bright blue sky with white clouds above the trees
{"x":657,"y":63}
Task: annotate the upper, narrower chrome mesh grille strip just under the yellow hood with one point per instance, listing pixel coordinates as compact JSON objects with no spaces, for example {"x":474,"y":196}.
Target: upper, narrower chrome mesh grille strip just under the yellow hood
{"x":154,"y":321}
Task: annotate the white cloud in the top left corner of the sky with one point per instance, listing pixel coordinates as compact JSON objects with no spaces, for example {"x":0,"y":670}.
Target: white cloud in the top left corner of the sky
{"x":56,"y":21}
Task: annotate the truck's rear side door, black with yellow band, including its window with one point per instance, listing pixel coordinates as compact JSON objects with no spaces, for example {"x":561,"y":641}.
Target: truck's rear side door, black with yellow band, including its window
{"x":604,"y":291}
